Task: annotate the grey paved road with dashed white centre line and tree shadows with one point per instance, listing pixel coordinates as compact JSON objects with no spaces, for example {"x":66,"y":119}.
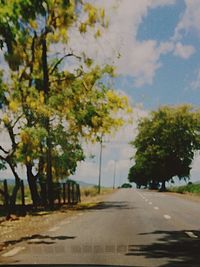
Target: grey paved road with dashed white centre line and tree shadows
{"x":131,"y":228}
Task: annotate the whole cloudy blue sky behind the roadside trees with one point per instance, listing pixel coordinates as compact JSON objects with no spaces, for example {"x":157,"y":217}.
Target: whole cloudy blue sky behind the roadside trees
{"x":154,"y":45}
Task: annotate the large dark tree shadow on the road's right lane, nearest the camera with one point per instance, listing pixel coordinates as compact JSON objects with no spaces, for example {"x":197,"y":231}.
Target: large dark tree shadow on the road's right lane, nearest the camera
{"x":175,"y":246}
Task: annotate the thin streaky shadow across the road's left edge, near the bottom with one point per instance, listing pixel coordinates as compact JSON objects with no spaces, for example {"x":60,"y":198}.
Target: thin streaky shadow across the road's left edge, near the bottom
{"x":38,"y":239}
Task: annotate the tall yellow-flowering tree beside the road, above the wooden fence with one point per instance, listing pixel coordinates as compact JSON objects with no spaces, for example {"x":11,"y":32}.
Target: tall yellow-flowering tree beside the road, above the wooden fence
{"x":52,"y":109}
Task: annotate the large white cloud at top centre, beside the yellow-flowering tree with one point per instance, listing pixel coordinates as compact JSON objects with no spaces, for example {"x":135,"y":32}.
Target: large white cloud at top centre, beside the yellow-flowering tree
{"x":139,"y":59}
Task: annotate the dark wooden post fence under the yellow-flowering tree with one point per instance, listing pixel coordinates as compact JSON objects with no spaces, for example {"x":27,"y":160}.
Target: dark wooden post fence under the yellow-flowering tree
{"x":63,"y":193}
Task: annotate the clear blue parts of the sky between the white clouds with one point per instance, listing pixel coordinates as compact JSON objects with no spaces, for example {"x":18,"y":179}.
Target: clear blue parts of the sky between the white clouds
{"x":173,"y":81}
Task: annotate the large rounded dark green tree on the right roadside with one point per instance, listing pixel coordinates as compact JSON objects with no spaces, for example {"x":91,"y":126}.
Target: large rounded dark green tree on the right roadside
{"x":165,"y":144}
